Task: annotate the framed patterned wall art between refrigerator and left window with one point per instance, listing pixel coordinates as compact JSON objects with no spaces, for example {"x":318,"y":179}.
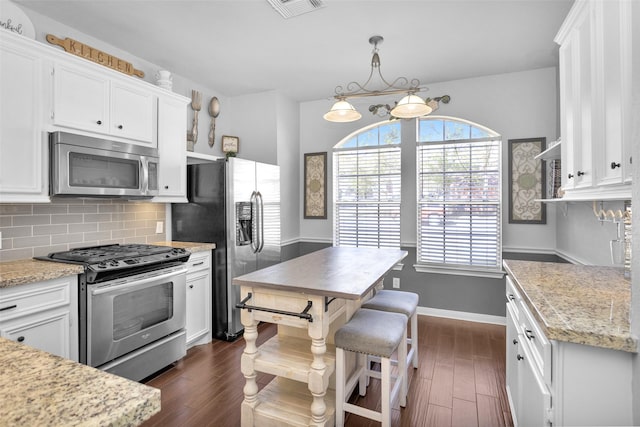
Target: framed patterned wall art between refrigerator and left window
{"x":315,"y":185}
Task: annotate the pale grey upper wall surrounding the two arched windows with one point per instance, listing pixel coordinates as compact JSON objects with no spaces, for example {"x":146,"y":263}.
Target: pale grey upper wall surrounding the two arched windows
{"x":516,"y":105}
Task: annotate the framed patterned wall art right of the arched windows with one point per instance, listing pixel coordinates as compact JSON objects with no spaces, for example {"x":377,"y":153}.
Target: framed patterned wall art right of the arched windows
{"x":527,"y":181}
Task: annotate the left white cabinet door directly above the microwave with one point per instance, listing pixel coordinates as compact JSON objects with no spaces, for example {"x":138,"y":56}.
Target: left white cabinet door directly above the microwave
{"x":80,"y":99}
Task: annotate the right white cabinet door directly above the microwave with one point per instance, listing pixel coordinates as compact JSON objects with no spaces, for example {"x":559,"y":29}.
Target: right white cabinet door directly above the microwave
{"x":132,"y":113}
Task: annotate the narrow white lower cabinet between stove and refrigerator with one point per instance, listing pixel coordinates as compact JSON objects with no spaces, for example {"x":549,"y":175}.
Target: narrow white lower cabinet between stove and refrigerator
{"x":199,"y":298}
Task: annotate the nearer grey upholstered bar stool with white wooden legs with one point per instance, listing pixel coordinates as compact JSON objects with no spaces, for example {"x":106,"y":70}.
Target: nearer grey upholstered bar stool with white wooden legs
{"x":377,"y":333}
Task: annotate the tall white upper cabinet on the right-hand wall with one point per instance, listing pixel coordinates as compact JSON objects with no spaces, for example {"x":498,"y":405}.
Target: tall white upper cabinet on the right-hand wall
{"x":595,"y":100}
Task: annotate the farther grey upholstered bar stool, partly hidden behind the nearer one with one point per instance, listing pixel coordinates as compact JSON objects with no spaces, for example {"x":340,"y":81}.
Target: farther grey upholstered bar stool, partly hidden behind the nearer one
{"x":400,"y":302}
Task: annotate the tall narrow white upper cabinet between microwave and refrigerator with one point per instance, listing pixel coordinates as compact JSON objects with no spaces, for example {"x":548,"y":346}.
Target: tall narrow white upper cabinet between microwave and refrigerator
{"x":172,"y":131}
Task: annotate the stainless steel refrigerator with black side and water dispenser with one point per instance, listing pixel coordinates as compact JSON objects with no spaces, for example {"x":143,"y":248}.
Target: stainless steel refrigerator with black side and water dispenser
{"x":234,"y":203}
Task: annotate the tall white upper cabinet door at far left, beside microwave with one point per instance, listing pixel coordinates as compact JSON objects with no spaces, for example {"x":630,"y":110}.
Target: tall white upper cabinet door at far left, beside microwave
{"x":22,"y":140}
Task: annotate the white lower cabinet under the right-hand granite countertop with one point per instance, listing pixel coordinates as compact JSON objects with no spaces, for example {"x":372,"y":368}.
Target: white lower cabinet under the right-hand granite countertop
{"x":558,"y":383}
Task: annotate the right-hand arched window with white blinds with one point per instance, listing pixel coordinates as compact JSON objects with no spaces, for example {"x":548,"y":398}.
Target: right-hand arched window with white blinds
{"x":459,"y":196}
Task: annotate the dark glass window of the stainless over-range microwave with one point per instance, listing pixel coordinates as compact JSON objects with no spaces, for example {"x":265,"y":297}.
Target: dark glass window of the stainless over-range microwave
{"x":90,"y":170}
